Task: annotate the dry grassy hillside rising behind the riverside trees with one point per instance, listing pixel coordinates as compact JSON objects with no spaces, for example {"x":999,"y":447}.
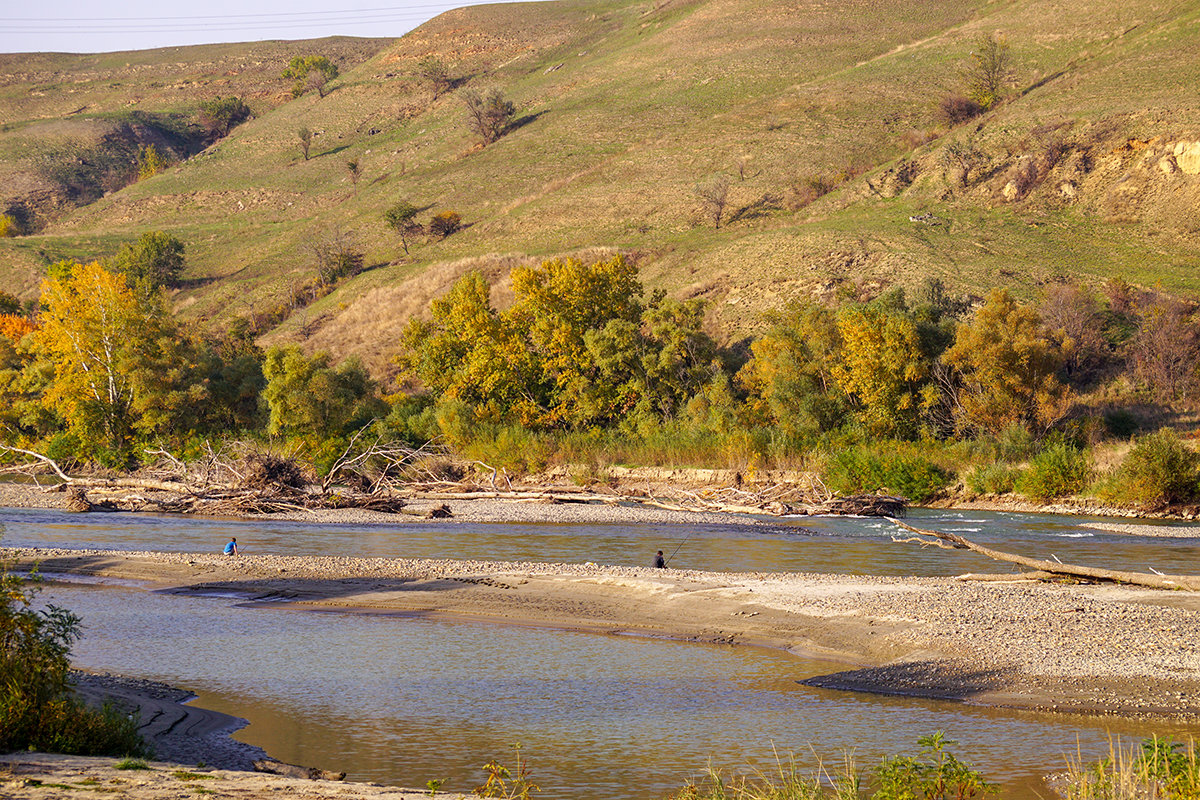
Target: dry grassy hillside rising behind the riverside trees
{"x":1088,"y":171}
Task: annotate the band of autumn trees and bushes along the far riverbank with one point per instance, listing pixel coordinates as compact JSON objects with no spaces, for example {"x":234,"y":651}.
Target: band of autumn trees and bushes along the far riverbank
{"x":919,"y":394}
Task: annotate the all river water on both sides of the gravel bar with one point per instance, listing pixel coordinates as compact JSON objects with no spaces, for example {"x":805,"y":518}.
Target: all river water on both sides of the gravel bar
{"x":405,"y":701}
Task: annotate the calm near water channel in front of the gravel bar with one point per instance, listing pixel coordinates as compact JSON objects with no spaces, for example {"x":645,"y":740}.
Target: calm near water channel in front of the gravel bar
{"x":404,"y":701}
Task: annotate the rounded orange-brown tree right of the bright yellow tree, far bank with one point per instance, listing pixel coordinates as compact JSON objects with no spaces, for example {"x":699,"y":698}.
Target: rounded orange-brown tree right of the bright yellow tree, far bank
{"x":1006,"y":370}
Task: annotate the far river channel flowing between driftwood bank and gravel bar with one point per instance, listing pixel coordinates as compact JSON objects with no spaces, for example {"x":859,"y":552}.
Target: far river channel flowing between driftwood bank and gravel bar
{"x":855,"y":546}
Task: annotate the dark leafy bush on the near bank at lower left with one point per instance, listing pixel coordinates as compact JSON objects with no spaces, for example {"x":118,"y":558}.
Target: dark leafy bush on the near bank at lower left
{"x":38,"y":709}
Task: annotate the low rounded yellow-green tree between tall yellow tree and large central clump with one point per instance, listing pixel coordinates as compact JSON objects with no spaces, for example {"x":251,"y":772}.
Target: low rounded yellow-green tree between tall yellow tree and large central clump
{"x":310,"y":398}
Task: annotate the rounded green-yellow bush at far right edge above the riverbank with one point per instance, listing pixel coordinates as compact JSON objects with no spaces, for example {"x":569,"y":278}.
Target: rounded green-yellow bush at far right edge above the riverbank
{"x":1160,"y":470}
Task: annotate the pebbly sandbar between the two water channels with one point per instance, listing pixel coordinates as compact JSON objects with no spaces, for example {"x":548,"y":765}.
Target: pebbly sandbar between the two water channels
{"x":1096,"y":648}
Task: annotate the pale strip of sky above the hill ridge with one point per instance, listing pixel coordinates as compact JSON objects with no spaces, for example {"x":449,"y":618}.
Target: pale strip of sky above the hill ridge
{"x":92,"y":27}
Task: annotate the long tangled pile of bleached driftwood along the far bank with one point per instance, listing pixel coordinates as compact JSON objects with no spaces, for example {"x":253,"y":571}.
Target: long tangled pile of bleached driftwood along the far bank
{"x":376,"y":478}
